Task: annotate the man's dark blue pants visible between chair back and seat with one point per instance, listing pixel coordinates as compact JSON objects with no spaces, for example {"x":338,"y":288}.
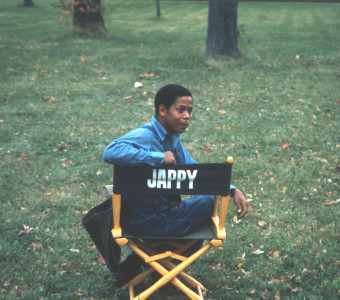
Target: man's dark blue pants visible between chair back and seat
{"x":157,"y":216}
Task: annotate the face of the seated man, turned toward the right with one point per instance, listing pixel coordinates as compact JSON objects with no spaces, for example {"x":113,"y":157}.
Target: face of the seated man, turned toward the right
{"x":176,"y":118}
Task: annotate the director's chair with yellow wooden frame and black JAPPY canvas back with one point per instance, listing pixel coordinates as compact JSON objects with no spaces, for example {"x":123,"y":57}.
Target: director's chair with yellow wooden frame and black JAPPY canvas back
{"x":190,"y":179}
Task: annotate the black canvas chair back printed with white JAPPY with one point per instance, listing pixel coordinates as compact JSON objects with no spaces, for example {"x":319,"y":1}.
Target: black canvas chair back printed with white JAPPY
{"x":189,"y":179}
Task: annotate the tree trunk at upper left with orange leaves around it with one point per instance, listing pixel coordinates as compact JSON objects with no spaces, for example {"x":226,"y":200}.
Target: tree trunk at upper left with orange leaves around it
{"x":88,"y":19}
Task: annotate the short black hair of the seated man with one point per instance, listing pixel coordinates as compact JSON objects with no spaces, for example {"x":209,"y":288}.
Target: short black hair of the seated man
{"x":168,"y":94}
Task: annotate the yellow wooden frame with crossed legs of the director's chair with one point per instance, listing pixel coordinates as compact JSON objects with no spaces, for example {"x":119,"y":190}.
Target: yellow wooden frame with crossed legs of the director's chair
{"x":162,"y":262}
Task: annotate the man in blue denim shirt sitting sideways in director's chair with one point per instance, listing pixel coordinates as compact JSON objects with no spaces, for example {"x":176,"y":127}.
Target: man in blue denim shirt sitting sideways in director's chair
{"x":158,"y":143}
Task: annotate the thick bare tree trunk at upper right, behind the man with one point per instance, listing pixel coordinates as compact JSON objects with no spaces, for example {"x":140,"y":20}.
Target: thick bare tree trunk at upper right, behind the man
{"x":222,"y":29}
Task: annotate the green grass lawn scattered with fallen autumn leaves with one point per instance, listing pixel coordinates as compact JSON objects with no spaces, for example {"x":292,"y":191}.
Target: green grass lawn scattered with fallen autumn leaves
{"x":63,"y":100}
